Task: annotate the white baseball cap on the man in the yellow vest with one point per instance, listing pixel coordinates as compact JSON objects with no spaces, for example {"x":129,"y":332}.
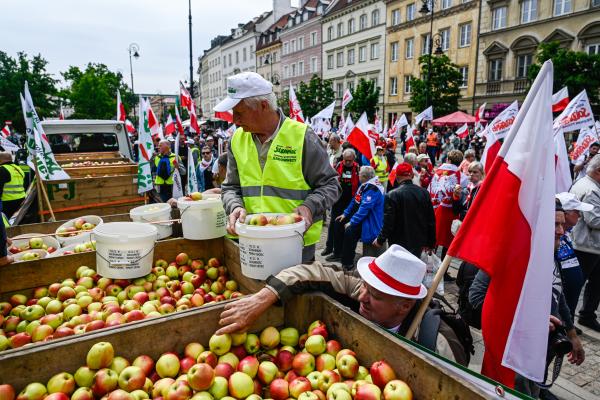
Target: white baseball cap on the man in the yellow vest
{"x":241,"y":86}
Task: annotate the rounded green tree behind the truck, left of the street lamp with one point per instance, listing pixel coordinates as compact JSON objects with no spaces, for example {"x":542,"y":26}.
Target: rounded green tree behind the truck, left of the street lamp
{"x":93,"y":92}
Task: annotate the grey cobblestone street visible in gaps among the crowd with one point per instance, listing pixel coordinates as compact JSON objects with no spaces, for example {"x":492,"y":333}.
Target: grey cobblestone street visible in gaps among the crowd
{"x":575,"y":382}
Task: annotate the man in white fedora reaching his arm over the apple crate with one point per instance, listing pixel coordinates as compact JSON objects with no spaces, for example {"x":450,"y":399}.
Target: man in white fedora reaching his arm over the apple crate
{"x":387,"y":292}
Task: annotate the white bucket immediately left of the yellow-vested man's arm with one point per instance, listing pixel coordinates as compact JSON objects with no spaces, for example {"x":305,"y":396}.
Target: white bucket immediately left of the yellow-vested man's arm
{"x":203,"y":219}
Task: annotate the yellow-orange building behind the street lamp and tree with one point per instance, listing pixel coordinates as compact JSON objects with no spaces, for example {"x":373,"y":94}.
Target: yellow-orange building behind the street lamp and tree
{"x":454,"y":29}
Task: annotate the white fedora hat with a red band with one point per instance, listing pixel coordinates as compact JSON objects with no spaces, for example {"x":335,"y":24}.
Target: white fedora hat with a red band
{"x":396,"y":272}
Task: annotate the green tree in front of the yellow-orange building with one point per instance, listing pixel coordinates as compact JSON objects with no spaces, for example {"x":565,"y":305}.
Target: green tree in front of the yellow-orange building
{"x":443,"y":88}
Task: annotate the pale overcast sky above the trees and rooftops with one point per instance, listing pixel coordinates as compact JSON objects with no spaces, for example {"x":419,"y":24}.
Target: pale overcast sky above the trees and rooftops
{"x":75,"y":32}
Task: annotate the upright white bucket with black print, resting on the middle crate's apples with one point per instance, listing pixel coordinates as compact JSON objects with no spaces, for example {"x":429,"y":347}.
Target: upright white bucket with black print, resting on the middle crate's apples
{"x":124,"y":250}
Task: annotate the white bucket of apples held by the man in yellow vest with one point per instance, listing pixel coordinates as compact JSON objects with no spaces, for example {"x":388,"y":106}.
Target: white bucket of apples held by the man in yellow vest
{"x":266,"y":250}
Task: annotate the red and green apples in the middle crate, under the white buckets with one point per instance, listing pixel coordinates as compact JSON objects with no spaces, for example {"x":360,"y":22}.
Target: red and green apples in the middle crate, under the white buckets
{"x":89,"y":302}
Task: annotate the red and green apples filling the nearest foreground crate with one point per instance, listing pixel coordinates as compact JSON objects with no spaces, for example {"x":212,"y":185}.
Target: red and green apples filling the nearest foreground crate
{"x":273,"y":364}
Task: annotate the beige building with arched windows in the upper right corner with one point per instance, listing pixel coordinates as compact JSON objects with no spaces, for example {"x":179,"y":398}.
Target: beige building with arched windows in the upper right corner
{"x":511,"y":32}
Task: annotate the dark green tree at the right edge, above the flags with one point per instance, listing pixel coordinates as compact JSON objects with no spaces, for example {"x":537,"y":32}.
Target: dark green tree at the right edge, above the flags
{"x":577,"y":70}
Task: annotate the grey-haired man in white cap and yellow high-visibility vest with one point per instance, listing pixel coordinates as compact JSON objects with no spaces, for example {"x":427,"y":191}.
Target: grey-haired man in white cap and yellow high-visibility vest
{"x":275,"y":164}
